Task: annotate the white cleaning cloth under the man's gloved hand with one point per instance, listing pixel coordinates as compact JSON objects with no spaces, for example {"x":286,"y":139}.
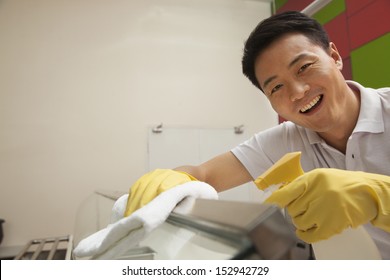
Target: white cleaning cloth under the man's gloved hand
{"x":124,"y":233}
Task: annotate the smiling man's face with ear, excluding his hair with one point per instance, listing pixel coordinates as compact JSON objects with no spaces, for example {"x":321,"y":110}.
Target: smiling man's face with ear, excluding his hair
{"x":303,"y":81}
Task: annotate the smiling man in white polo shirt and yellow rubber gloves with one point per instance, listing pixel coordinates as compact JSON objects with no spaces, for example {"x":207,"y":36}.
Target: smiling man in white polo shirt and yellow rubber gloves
{"x":341,"y":128}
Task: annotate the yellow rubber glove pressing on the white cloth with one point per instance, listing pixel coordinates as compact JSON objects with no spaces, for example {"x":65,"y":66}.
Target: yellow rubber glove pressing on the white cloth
{"x":151,"y":185}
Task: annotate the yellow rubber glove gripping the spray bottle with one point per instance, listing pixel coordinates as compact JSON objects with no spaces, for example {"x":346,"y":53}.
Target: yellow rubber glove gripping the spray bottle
{"x":326,"y":201}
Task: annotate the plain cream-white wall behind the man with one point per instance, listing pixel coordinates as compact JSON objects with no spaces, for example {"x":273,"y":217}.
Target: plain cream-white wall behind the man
{"x":82,"y":81}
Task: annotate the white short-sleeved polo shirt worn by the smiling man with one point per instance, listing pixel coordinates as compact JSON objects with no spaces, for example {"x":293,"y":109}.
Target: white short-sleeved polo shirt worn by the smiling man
{"x":368,"y":148}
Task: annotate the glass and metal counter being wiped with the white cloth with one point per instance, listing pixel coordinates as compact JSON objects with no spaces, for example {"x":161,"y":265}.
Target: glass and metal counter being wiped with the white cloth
{"x":211,"y":229}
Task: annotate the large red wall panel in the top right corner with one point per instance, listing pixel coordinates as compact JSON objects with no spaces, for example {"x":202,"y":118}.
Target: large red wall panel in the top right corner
{"x":369,"y":23}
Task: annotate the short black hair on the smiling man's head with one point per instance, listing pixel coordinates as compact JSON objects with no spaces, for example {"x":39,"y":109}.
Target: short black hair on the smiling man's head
{"x":272,"y":28}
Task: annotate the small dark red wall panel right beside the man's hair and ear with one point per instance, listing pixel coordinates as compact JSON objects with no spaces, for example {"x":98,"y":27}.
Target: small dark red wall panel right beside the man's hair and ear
{"x":338,"y":33}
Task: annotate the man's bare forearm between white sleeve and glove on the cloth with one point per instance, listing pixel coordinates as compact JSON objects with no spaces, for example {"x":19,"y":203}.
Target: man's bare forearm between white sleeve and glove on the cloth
{"x":222,"y":172}
